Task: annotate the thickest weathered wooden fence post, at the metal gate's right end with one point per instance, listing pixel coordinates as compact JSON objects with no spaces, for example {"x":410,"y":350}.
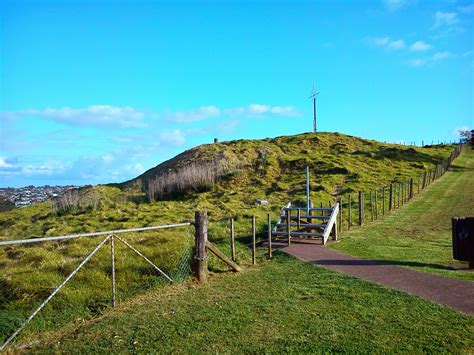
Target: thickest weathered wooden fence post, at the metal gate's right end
{"x":200,"y":241}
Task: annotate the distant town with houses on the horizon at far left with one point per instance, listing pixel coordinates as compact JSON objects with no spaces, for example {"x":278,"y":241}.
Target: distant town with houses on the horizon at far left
{"x":25,"y":196}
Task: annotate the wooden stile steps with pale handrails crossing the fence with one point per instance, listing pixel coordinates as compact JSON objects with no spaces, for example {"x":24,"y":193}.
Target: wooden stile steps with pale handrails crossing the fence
{"x":310,"y":223}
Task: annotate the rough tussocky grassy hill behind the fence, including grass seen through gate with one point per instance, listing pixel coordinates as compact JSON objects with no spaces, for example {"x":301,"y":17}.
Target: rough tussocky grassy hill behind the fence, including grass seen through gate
{"x":242,"y":171}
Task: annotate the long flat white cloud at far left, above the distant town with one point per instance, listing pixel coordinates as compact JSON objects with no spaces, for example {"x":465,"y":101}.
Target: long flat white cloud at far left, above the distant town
{"x":103,"y":115}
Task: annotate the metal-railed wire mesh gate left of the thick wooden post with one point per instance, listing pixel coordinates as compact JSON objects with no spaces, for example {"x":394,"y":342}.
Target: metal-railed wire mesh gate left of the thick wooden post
{"x":46,"y":283}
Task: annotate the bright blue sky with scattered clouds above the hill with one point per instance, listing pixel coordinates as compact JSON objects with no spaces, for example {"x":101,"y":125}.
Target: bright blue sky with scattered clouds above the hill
{"x":100,"y":91}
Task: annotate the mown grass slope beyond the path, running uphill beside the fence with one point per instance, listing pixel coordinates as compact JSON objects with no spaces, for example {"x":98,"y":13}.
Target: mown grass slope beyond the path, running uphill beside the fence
{"x":419,"y":234}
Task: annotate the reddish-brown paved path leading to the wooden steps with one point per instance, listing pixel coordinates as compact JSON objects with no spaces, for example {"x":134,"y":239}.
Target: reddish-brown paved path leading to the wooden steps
{"x":450,"y":292}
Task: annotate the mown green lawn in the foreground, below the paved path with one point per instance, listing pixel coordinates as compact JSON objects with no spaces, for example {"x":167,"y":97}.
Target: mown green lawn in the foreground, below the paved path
{"x":283,"y":306}
